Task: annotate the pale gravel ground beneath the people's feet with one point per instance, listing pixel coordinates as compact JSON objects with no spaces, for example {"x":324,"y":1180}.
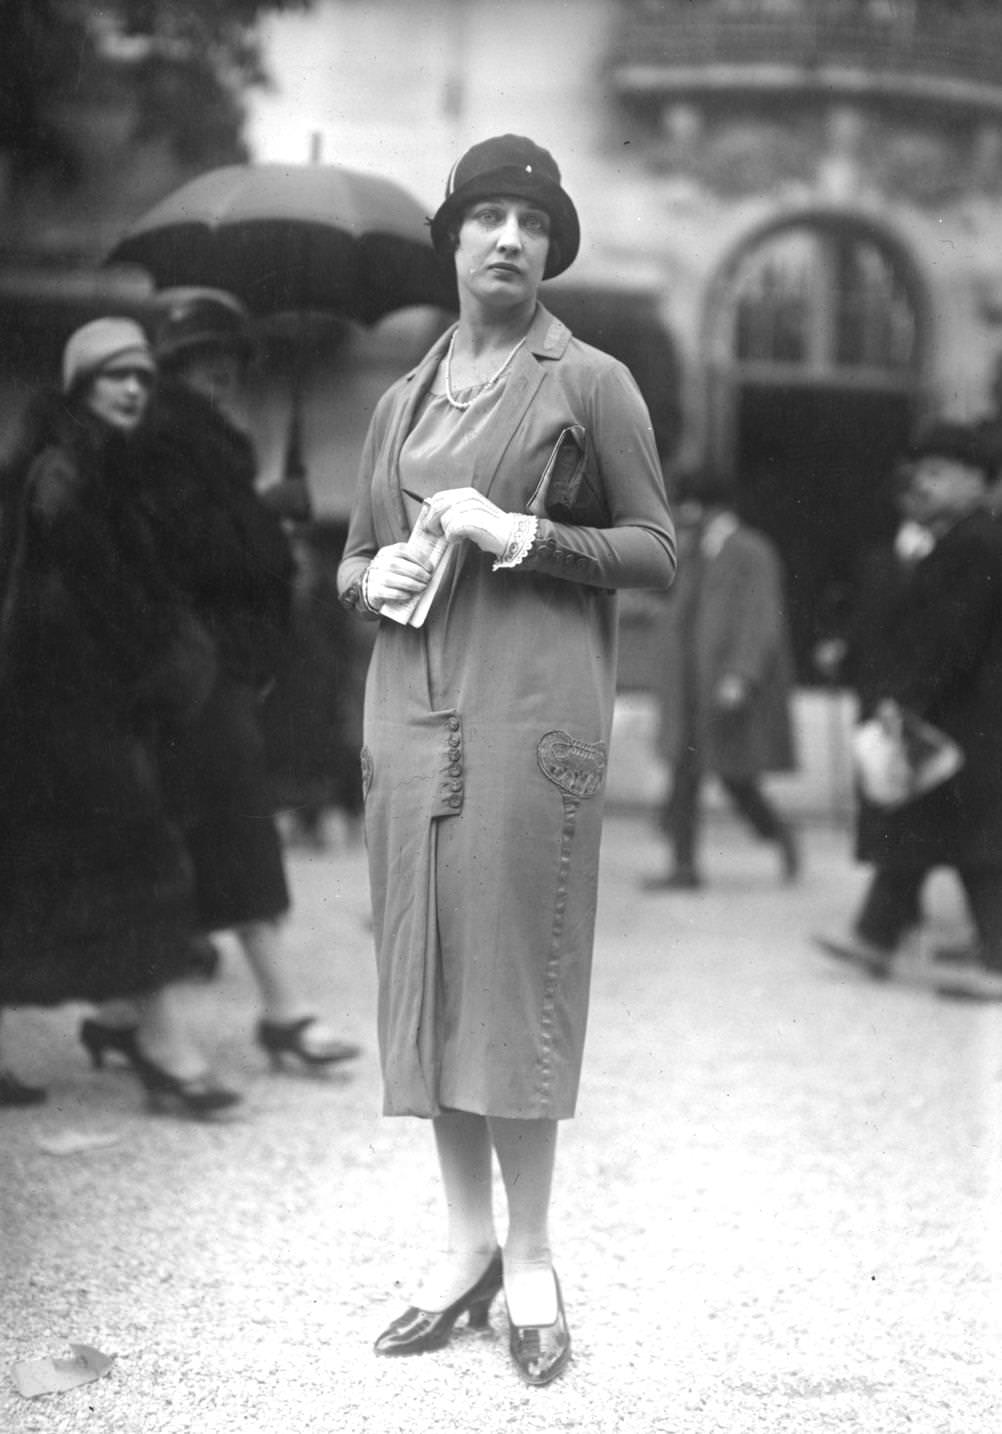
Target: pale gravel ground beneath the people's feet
{"x":778,"y":1210}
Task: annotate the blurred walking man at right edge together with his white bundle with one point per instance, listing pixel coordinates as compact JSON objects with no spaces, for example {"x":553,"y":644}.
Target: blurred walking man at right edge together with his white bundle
{"x":924,"y":655}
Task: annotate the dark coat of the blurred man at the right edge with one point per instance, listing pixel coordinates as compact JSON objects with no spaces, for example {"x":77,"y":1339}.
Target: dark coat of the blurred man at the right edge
{"x":945,"y":665}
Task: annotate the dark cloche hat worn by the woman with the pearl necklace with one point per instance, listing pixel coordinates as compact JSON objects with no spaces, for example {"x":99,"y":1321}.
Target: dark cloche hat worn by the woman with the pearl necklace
{"x":511,"y":166}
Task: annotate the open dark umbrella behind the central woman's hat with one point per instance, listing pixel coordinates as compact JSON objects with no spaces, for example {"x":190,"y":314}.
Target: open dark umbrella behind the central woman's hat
{"x":293,"y":239}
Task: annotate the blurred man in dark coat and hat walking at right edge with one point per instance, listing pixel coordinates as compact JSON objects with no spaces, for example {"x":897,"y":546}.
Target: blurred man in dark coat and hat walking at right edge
{"x":944,"y":666}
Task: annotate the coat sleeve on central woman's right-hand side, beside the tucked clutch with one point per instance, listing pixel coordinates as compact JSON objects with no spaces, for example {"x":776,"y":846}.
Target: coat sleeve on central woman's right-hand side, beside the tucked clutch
{"x":639,"y":547}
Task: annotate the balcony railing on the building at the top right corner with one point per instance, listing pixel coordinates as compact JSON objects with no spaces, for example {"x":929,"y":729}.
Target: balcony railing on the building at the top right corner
{"x":662,"y":45}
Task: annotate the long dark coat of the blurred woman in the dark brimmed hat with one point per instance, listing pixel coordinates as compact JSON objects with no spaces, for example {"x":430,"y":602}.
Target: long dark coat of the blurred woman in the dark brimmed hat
{"x":227,"y":553}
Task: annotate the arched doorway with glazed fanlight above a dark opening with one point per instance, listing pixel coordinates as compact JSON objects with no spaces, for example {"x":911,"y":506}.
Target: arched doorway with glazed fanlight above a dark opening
{"x":816,"y":342}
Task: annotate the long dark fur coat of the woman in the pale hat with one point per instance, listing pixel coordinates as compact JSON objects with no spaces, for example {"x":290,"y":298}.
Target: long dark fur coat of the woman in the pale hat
{"x":95,"y":884}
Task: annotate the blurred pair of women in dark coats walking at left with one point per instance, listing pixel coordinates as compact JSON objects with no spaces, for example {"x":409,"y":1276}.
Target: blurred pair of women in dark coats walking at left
{"x":174,"y":668}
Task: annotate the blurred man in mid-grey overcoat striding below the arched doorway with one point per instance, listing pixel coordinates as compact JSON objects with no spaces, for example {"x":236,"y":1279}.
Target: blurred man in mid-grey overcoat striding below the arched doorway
{"x":726,"y":678}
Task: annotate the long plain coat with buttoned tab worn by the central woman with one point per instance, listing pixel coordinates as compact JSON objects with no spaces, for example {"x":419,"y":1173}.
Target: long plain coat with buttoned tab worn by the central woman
{"x":487,"y":736}
